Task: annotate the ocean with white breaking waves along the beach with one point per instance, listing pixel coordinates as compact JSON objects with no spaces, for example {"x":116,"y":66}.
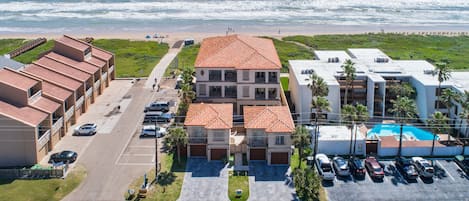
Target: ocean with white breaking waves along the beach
{"x":71,"y":16}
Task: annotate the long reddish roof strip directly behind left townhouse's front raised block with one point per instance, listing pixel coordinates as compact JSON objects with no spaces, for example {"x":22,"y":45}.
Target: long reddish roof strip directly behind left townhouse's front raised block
{"x":51,"y":76}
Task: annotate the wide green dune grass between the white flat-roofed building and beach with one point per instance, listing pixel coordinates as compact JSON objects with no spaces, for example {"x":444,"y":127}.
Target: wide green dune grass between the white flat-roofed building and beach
{"x":452,"y":50}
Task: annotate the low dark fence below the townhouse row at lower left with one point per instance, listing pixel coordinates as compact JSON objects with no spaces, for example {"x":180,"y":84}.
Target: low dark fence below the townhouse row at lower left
{"x":32,"y":173}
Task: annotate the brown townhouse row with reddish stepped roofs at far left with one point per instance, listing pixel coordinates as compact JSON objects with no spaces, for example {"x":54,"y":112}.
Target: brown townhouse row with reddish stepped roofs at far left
{"x":40,"y":102}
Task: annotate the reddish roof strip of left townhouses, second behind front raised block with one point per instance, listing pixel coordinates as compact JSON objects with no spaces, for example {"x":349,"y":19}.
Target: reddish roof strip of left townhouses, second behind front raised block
{"x":63,"y":69}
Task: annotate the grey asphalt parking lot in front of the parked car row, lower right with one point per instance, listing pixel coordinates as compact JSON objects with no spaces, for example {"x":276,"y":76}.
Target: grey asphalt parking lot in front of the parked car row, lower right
{"x":448,"y":183}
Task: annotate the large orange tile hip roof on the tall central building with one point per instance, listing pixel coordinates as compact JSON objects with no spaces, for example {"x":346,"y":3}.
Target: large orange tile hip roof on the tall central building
{"x":237,"y":51}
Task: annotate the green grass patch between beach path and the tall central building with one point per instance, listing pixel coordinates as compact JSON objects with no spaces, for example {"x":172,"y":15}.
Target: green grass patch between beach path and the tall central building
{"x":185,"y":58}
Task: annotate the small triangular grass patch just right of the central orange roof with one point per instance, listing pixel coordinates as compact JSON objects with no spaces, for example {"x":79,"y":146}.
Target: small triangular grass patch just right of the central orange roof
{"x":290,"y":51}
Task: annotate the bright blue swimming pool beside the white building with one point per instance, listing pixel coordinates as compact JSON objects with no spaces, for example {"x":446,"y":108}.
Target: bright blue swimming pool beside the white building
{"x":408,"y":132}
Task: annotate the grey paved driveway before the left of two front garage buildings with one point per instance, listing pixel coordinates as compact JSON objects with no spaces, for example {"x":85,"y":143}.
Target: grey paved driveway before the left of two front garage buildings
{"x":205,"y":181}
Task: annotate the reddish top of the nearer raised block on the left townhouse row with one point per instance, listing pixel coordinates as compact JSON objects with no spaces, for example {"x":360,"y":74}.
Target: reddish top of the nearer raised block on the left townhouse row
{"x":16,"y":79}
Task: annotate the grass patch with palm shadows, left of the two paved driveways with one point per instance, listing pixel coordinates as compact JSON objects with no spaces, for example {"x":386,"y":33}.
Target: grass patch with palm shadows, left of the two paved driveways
{"x":169,"y":187}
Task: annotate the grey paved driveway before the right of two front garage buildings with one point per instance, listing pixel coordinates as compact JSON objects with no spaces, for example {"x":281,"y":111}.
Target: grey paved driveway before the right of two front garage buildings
{"x":270,"y":183}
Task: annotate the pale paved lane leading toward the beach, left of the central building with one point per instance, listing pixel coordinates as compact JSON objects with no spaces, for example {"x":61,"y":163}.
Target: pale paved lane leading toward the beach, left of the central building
{"x":107,"y":179}
